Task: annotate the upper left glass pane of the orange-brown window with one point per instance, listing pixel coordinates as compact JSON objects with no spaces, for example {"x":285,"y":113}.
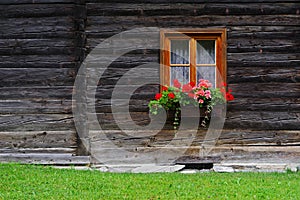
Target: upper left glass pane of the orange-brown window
{"x":180,"y":52}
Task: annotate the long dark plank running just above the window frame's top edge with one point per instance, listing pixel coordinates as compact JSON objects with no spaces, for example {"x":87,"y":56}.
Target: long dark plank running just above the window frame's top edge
{"x":204,"y":20}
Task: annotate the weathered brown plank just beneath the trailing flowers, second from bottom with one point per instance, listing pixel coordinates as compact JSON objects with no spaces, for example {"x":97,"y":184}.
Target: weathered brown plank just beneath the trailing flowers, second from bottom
{"x":157,"y":138}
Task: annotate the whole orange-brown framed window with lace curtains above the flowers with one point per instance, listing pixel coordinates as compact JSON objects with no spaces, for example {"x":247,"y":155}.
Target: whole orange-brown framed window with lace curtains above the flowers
{"x":190,"y":55}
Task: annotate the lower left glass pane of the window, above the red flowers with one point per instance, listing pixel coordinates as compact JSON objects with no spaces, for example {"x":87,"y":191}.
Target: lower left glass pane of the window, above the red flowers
{"x":182,"y":74}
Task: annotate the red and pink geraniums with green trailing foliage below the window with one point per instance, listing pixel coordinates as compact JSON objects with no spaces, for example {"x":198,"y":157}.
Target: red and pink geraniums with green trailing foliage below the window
{"x":203,"y":96}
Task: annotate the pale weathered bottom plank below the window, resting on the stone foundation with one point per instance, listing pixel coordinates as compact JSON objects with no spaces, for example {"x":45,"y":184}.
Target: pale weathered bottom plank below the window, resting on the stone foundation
{"x":266,"y":155}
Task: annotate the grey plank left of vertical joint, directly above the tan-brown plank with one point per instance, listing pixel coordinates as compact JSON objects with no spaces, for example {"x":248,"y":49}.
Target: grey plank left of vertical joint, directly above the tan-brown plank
{"x":36,"y":122}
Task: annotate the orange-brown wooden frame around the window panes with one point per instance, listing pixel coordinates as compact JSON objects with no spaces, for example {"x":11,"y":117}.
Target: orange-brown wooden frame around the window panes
{"x":217,"y":34}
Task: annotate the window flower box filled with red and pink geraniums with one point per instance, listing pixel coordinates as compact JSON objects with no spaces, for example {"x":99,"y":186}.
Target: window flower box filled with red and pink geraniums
{"x":188,"y":96}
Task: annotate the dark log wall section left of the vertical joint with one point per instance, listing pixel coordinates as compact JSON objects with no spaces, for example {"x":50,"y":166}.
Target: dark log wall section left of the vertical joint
{"x":41,"y":48}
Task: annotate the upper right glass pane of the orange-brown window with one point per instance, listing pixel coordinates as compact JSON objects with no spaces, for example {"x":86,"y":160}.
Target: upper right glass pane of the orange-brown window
{"x":206,"y":52}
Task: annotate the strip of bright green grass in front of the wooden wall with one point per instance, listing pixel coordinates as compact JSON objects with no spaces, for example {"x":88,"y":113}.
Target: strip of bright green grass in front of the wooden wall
{"x":38,"y":182}
